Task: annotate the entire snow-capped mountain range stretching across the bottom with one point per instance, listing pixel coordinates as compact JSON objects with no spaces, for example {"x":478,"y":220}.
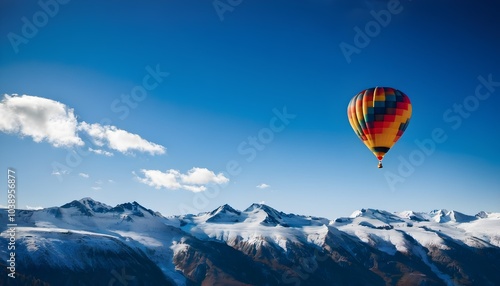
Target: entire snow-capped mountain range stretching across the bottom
{"x":86,"y":242}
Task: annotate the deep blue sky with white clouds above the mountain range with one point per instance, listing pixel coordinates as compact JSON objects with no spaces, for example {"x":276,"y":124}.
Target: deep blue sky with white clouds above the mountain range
{"x":187,"y":105}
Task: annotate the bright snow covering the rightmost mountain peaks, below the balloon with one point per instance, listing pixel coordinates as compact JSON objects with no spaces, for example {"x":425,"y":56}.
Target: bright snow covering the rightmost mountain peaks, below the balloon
{"x":385,"y":230}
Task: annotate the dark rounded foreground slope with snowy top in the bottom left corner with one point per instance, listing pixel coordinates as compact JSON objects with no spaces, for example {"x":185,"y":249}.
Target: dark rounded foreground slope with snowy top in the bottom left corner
{"x":77,"y":257}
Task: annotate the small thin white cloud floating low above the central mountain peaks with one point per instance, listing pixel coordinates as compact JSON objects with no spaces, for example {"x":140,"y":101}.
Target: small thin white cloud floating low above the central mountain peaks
{"x":195,"y":180}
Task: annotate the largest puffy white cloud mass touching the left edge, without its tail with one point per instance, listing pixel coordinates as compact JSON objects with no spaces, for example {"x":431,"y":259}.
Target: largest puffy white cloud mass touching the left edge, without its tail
{"x":39,"y":118}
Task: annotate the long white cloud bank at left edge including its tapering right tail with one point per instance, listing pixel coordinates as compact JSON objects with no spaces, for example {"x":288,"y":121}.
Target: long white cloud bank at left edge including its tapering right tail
{"x":48,"y":120}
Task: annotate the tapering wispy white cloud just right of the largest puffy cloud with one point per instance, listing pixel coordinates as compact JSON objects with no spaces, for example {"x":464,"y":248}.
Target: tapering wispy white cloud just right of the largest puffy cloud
{"x":119,"y":140}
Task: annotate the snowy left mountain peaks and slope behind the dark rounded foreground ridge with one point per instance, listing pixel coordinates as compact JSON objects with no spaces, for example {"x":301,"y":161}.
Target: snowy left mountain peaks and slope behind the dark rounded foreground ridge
{"x":130,"y":223}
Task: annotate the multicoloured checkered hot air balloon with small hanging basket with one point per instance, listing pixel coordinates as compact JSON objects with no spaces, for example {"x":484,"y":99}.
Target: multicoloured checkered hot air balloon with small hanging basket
{"x":379,"y":116}
